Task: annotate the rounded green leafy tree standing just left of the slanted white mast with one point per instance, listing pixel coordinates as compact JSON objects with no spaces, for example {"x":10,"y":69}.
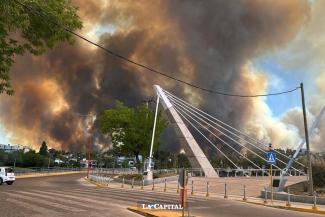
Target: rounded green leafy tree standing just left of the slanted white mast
{"x":131,"y":129}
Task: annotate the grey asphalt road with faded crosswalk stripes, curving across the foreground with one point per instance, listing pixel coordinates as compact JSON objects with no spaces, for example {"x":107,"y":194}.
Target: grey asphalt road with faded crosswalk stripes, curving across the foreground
{"x":70,"y":195}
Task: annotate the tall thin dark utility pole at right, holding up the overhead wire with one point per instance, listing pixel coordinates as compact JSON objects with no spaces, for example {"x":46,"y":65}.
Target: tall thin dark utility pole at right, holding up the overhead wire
{"x":310,"y":173}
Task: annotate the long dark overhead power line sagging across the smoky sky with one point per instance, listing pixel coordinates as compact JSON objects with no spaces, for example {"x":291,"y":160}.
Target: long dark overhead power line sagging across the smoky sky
{"x":35,"y":12}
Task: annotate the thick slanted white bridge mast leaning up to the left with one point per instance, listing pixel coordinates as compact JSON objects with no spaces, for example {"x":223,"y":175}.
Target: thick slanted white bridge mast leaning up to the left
{"x":193,"y":151}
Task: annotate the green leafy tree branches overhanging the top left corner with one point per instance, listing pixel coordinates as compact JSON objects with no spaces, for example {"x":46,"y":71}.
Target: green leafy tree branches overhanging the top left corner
{"x":34,"y":28}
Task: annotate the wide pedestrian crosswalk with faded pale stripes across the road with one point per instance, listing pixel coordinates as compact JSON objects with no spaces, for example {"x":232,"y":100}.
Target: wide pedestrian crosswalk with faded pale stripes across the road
{"x":82,"y":201}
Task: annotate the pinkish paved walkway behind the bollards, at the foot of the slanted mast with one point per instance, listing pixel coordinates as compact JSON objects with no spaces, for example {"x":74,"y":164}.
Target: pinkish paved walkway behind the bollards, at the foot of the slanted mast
{"x":216,"y":191}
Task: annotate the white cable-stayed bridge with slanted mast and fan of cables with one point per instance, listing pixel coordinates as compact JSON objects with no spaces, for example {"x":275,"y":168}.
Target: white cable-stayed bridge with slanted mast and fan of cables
{"x":222,"y":137}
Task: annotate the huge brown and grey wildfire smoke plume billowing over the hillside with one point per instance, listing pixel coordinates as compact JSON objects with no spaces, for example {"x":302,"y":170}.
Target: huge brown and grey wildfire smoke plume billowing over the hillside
{"x":210,"y":43}
